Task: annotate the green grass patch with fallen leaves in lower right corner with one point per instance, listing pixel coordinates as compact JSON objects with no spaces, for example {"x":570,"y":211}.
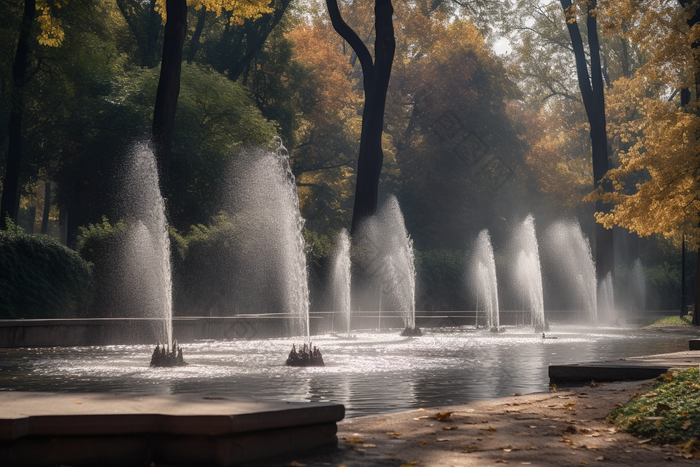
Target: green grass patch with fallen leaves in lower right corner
{"x":669,"y":412}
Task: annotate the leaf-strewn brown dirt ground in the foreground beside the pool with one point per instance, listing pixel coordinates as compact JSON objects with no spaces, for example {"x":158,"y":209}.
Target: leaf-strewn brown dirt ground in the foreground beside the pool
{"x":563,"y":428}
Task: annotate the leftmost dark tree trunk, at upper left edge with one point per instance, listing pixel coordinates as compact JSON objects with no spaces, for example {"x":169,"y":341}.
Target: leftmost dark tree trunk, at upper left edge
{"x":9,"y":206}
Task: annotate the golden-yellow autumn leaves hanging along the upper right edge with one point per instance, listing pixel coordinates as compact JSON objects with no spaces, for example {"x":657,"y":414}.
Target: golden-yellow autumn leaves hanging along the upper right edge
{"x":656,"y":186}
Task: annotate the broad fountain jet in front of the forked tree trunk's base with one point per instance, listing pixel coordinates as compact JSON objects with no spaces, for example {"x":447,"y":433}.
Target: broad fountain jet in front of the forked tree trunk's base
{"x":386,"y":254}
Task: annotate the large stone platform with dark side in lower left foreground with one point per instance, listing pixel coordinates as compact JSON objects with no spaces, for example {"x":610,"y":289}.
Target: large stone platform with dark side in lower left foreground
{"x":108,"y":429}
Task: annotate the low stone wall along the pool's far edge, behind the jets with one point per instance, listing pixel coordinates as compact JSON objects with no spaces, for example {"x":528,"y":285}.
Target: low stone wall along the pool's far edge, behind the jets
{"x":130,"y":331}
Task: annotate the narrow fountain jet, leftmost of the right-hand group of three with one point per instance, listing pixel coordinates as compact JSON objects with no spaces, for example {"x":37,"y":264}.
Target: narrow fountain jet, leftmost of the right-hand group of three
{"x":483,"y":279}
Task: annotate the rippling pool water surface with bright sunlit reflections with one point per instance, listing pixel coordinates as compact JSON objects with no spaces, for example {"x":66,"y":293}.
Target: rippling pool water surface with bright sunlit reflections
{"x":370,"y":374}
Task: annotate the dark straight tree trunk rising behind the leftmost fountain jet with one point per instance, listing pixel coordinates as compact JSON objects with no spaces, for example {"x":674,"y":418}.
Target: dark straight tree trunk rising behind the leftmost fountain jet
{"x":169,"y":84}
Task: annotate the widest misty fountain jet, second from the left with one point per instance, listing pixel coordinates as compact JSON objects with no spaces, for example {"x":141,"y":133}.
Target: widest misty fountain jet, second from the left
{"x":270,"y":251}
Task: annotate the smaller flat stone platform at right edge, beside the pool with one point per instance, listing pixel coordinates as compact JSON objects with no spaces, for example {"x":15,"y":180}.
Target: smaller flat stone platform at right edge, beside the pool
{"x":624,"y":369}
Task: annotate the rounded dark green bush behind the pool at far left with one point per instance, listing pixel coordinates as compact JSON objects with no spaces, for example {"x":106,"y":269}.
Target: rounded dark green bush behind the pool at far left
{"x":40,"y":278}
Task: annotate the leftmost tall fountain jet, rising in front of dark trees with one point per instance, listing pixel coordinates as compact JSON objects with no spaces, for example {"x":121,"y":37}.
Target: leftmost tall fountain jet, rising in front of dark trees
{"x":146,"y":253}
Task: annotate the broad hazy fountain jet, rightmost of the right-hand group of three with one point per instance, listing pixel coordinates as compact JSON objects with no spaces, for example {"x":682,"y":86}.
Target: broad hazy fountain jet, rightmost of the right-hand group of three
{"x":571,"y":261}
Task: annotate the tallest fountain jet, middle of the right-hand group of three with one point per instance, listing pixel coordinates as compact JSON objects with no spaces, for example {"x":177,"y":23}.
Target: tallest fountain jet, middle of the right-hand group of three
{"x":528,"y":273}
